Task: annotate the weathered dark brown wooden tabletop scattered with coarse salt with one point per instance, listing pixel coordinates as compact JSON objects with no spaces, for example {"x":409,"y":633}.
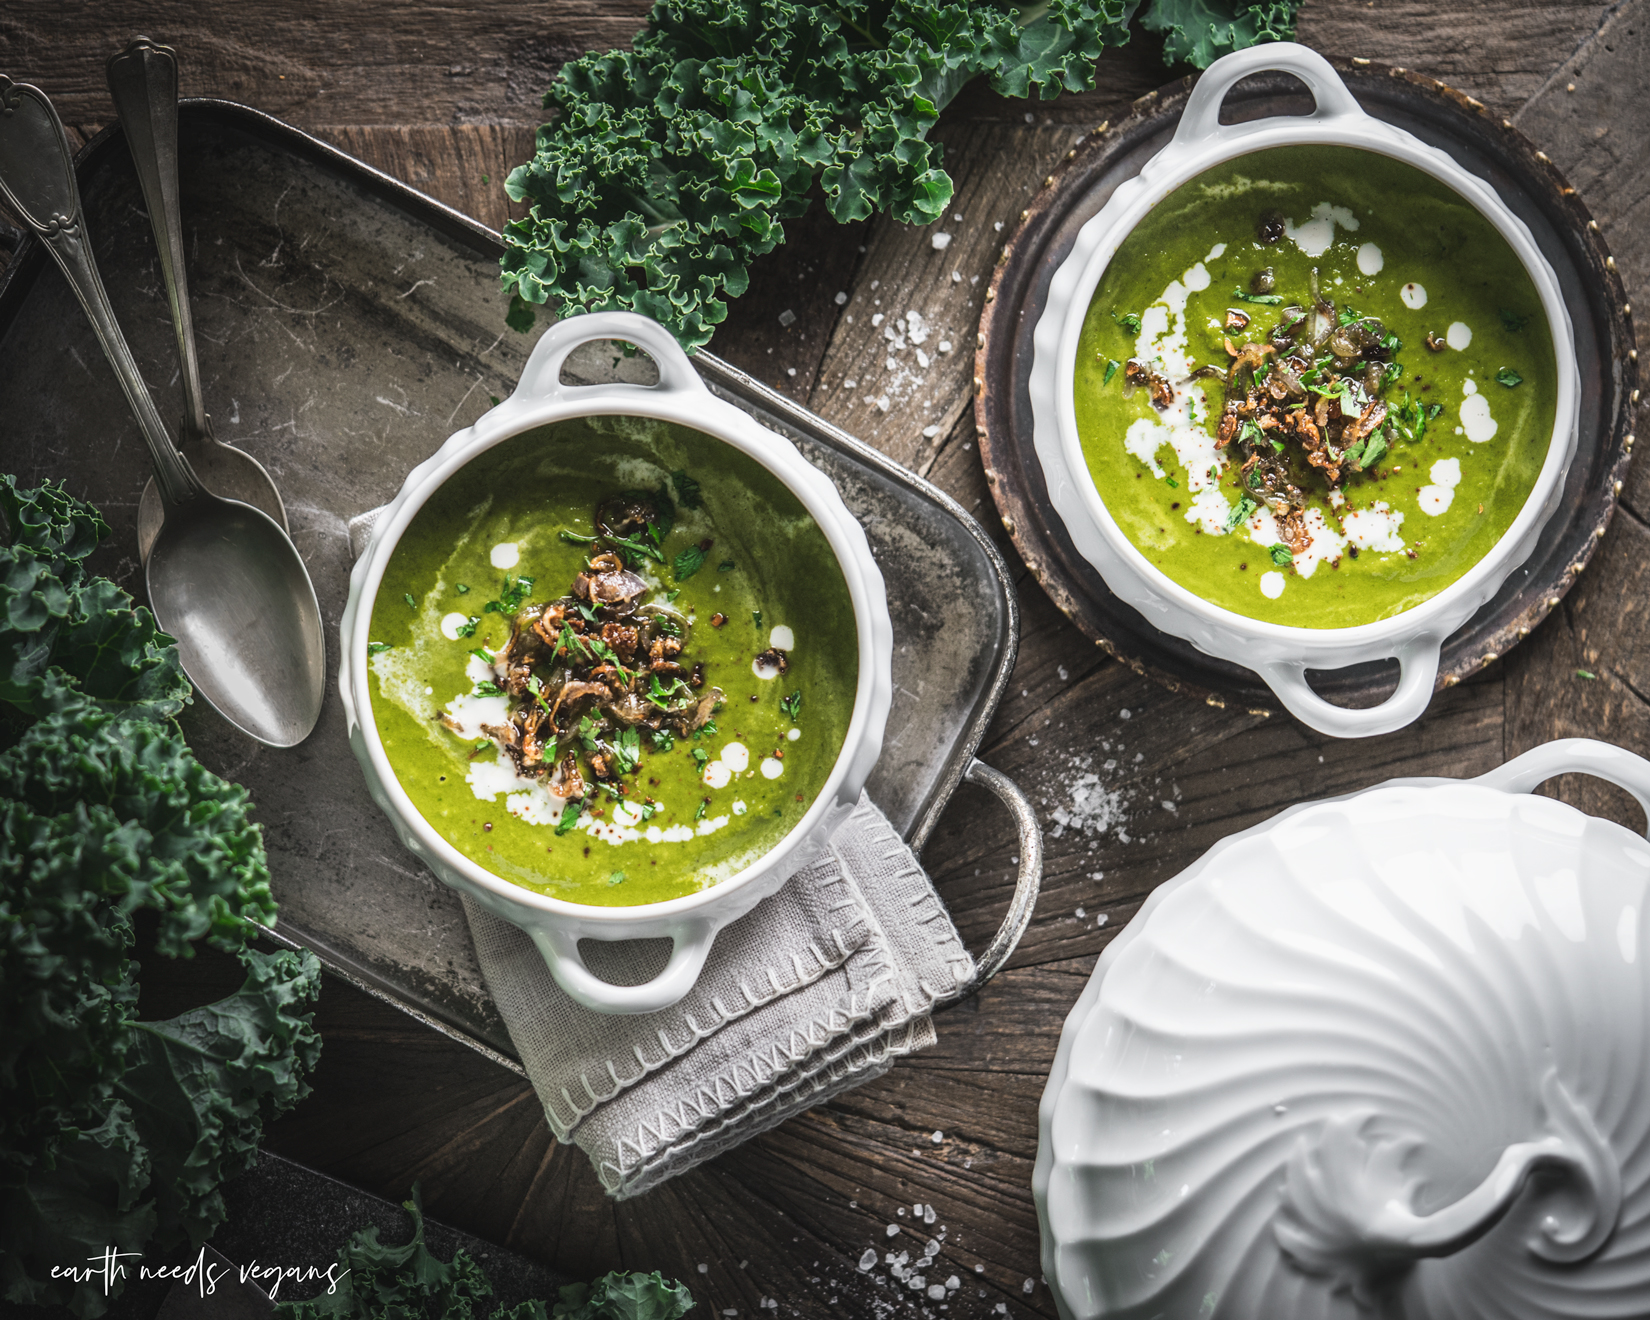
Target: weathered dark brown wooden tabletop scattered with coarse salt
{"x":1134,"y":783}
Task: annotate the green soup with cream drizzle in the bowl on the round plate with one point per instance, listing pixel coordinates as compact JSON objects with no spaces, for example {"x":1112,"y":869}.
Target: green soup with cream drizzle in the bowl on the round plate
{"x":1316,"y":387}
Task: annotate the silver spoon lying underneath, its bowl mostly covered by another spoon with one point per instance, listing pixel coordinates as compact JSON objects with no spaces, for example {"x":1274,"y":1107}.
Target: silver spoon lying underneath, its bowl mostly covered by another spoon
{"x":144,"y":85}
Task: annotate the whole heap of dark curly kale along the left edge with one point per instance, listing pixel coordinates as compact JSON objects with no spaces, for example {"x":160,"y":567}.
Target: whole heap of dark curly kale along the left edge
{"x":113,"y":1131}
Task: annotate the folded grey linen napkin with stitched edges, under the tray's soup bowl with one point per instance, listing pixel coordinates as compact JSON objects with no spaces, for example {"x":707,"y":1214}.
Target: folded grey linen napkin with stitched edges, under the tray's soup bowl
{"x":818,"y":989}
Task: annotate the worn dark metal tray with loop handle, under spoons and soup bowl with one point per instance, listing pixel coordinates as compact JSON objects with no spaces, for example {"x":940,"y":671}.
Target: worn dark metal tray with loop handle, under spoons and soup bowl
{"x":347,"y":326}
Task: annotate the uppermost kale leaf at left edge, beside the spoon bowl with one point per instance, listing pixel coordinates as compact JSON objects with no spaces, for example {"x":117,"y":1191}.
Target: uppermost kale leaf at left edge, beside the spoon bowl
{"x":54,"y":615}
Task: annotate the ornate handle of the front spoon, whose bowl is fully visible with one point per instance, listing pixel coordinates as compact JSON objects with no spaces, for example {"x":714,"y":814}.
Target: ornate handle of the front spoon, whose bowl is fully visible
{"x":37,"y":177}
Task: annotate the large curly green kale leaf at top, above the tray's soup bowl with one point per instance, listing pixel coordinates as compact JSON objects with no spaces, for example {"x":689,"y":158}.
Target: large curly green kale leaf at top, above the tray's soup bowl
{"x":674,"y":166}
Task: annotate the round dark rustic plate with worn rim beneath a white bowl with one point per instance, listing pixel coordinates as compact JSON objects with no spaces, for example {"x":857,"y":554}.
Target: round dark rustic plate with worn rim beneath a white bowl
{"x":1487,"y":146}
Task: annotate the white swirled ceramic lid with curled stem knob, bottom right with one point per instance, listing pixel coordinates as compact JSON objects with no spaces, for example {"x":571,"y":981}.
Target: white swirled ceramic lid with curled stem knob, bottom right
{"x":1385,"y":1055}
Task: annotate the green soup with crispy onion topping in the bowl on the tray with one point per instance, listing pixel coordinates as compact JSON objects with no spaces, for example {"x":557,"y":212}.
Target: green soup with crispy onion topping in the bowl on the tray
{"x":613,"y":661}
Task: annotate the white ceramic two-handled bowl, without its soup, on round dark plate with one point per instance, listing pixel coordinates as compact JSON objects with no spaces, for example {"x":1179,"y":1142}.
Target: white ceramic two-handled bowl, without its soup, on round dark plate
{"x":1278,"y":653}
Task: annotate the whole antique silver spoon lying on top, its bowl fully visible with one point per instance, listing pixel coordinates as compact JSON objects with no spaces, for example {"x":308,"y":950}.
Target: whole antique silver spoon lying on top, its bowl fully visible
{"x":224,"y":578}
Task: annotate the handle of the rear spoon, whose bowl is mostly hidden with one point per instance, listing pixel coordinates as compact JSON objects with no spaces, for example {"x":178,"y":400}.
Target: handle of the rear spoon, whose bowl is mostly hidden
{"x":144,"y":85}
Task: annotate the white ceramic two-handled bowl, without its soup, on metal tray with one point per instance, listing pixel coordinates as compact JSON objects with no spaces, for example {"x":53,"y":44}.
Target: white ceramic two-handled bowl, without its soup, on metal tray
{"x":692,"y":922}
